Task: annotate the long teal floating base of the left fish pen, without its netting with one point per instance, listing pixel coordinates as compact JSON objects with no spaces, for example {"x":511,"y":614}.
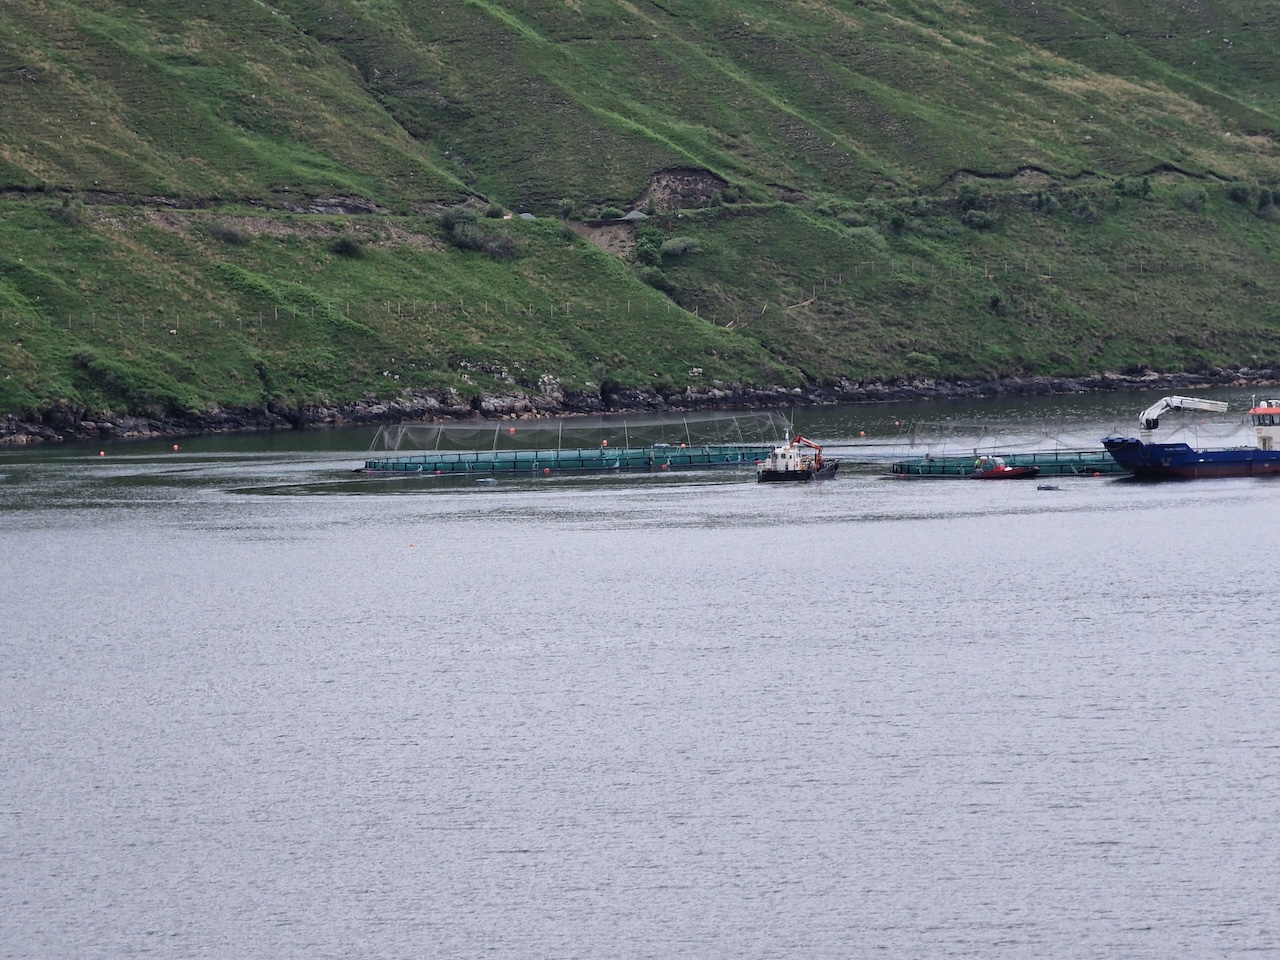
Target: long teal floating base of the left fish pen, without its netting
{"x":578,"y":461}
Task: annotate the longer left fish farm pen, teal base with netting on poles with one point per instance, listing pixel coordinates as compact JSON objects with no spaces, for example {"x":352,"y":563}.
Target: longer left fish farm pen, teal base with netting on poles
{"x":579,"y":445}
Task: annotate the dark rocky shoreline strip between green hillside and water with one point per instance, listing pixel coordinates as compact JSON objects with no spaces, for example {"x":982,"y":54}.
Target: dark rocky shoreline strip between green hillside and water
{"x":63,"y":424}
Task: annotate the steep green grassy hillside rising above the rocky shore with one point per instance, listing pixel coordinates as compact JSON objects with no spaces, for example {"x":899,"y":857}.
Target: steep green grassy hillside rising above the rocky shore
{"x":308,"y":202}
